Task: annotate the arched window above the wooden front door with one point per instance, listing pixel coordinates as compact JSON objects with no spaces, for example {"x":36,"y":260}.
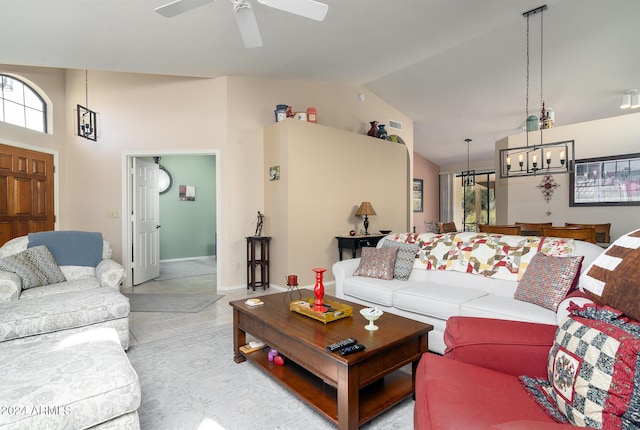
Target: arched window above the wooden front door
{"x":21,"y":105}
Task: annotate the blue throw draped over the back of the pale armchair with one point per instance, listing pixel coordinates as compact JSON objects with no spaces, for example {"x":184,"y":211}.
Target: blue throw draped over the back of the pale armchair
{"x":71,"y":248}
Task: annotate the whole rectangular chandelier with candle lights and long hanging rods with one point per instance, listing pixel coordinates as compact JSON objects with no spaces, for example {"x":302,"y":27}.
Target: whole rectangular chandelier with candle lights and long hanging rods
{"x":538,"y":158}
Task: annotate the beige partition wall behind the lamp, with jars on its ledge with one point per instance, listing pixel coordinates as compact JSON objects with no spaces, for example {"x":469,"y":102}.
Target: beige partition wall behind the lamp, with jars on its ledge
{"x":325,"y":174}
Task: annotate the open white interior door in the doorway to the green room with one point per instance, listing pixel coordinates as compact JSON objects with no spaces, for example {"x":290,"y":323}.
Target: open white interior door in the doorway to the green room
{"x":146,"y":221}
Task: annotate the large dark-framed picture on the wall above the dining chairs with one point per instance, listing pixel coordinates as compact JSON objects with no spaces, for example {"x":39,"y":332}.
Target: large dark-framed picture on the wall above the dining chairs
{"x":606,"y":181}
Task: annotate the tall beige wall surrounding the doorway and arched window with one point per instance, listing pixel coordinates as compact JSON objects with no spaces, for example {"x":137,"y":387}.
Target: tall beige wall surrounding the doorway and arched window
{"x":149,"y":113}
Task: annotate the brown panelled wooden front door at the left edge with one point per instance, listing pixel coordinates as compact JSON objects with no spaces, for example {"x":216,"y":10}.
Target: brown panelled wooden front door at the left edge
{"x":26,"y":192}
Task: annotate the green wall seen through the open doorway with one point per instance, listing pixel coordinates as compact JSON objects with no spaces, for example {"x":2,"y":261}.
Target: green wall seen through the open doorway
{"x":189,"y":227}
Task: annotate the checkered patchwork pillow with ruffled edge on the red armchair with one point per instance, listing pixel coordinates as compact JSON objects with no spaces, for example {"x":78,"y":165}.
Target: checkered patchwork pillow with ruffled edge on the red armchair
{"x":593,"y":370}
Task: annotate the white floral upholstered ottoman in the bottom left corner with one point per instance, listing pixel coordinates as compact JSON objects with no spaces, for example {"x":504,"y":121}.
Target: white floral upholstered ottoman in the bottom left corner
{"x":79,"y":382}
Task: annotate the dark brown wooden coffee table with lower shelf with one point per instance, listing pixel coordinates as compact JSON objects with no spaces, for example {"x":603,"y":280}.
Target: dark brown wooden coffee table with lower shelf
{"x":347,"y":390}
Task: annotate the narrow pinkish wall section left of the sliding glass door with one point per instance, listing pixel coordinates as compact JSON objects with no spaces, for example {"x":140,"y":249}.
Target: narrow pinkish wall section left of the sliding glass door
{"x":429,"y":173}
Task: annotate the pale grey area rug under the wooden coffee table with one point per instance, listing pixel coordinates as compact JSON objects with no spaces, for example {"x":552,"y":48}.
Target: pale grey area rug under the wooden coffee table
{"x":192,"y":383}
